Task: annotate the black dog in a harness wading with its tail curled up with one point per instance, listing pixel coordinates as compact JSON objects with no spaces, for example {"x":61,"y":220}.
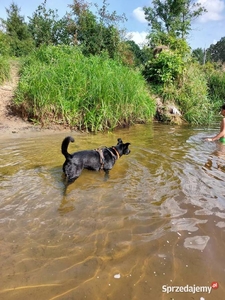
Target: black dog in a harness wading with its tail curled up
{"x":96,"y":160}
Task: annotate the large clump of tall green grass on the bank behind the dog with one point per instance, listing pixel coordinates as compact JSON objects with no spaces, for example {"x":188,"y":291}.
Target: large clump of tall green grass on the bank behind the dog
{"x":93,"y":93}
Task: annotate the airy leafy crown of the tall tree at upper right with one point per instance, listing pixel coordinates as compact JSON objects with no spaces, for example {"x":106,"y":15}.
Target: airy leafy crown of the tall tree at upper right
{"x":171,"y":18}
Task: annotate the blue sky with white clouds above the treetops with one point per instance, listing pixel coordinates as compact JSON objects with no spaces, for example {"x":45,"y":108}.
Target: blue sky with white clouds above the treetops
{"x":206,"y":30}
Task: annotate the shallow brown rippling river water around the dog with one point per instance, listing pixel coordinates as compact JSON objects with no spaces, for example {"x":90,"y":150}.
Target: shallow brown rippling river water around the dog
{"x":154,"y":230}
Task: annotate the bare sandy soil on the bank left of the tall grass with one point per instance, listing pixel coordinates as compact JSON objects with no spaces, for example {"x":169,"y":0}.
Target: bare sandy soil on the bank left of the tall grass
{"x":11,"y":123}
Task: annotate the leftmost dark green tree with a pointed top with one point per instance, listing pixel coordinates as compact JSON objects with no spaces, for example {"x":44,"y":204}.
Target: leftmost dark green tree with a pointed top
{"x":16,"y":29}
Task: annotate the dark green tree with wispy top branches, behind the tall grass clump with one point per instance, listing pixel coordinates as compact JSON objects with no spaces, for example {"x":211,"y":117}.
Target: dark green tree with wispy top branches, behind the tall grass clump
{"x":95,"y":33}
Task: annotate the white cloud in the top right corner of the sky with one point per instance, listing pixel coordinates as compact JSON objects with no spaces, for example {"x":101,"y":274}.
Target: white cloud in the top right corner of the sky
{"x":214,"y":9}
